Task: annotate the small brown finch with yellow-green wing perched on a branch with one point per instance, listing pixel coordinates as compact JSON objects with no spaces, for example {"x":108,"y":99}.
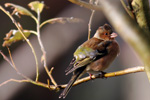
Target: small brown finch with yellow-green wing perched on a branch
{"x":93,"y":56}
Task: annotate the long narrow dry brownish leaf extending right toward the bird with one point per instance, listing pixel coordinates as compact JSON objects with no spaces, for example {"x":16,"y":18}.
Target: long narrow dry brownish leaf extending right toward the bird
{"x":62,"y":20}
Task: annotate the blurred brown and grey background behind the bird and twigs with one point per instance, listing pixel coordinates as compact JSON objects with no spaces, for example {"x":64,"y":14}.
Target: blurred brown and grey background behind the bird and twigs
{"x":60,"y":41}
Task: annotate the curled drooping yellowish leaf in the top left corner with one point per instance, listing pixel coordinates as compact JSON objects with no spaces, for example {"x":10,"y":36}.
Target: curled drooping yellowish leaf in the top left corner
{"x":18,"y":10}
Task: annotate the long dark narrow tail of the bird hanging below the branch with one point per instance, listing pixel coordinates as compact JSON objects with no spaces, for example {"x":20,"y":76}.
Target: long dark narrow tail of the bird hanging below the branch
{"x":69,"y":86}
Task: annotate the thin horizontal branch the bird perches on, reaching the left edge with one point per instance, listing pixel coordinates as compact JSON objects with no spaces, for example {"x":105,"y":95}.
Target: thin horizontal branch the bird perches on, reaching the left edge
{"x":53,"y":87}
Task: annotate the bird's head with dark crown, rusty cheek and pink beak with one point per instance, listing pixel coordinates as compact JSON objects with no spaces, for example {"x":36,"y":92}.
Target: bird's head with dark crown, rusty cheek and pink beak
{"x":105,"y":33}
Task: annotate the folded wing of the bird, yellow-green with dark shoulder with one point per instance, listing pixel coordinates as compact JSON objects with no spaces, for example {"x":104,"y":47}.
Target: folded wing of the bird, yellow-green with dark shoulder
{"x":84,"y":55}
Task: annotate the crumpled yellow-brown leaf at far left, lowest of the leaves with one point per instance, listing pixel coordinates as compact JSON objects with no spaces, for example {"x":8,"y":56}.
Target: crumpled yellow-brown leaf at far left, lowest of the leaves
{"x":13,"y":36}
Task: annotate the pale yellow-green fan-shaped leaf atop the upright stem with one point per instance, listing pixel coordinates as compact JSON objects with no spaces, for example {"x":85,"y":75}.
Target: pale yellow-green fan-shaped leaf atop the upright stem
{"x":36,"y":5}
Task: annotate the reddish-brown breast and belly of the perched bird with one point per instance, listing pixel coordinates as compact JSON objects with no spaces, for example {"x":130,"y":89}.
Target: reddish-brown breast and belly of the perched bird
{"x":105,"y":61}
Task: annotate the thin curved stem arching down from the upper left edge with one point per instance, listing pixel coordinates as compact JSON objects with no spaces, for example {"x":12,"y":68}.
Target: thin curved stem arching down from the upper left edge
{"x":16,"y":24}
